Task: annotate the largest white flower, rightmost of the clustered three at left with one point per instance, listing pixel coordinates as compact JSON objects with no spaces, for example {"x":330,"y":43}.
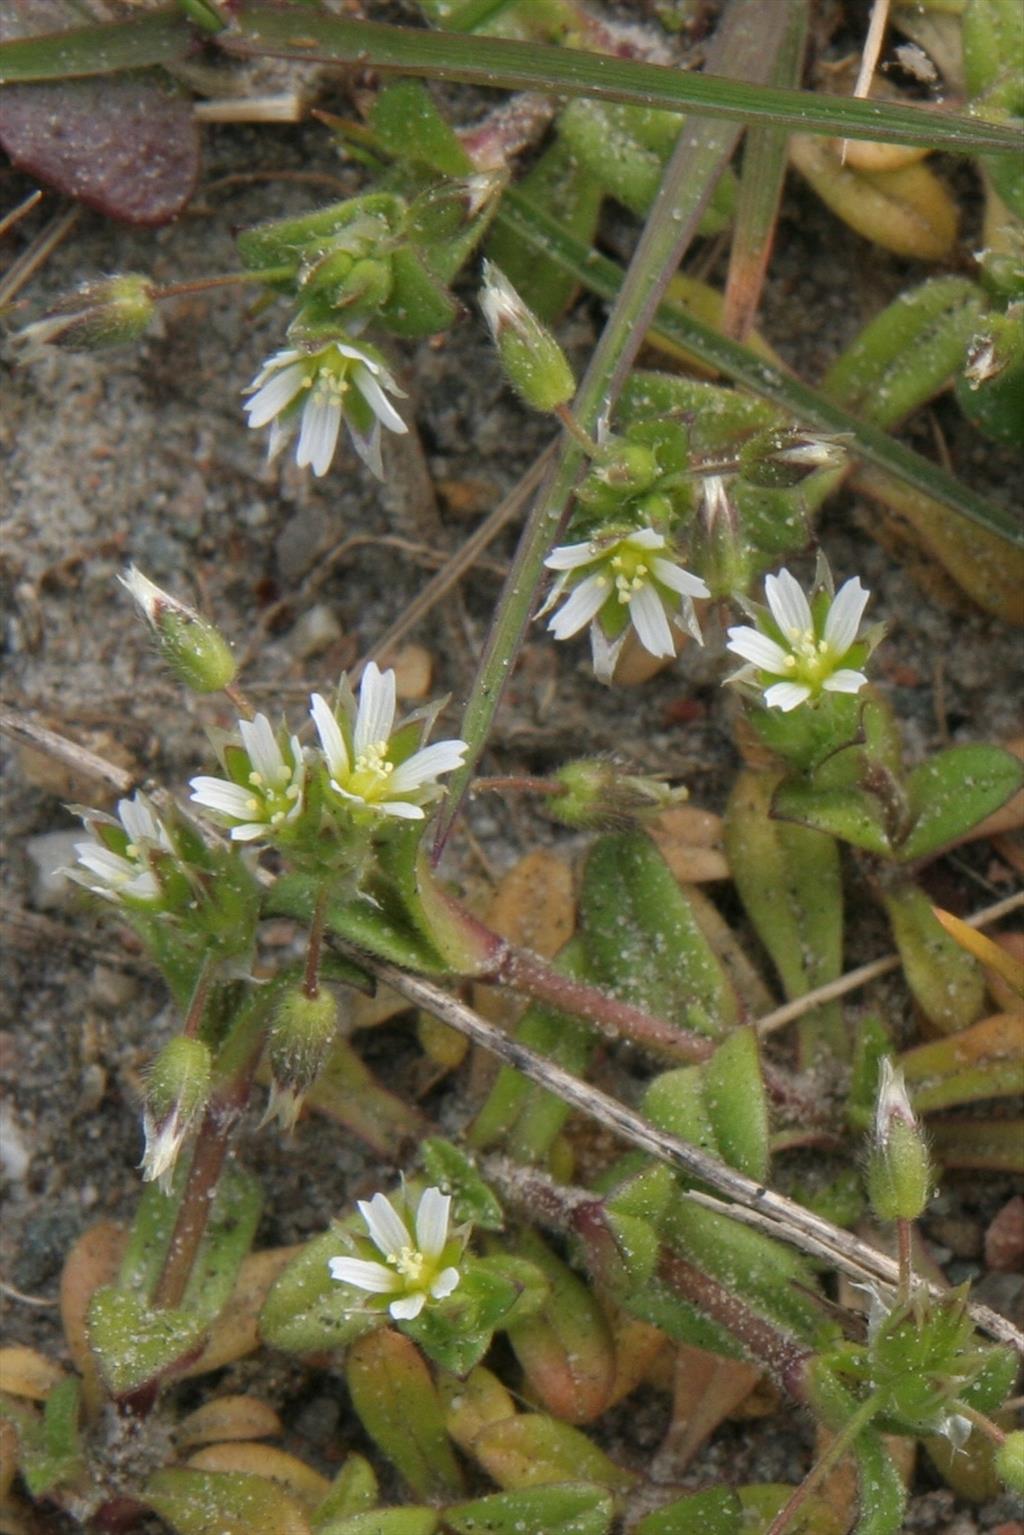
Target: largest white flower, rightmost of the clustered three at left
{"x":375,"y":767}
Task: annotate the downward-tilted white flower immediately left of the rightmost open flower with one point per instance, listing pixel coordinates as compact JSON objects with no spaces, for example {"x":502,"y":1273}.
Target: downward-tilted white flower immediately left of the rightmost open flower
{"x":615,"y":583}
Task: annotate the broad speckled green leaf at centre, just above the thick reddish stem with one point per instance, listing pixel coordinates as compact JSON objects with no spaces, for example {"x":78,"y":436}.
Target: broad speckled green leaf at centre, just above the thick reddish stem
{"x":642,"y":937}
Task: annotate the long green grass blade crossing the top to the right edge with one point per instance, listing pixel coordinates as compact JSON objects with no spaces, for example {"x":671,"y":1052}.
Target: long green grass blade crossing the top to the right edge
{"x":292,"y":33}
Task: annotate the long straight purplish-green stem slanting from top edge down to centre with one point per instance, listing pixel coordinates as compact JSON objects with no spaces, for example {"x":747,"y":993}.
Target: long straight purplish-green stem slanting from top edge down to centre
{"x":748,"y":39}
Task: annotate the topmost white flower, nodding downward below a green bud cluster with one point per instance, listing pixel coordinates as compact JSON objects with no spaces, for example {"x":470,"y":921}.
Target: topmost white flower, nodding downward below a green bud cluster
{"x":320,"y":389}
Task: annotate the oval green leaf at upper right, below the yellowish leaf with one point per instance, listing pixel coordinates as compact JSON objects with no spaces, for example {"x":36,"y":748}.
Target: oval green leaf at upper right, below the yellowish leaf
{"x":908,"y":352}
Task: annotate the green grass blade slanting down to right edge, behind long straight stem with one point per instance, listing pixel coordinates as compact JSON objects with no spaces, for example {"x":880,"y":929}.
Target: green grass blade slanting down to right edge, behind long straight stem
{"x":739,"y":363}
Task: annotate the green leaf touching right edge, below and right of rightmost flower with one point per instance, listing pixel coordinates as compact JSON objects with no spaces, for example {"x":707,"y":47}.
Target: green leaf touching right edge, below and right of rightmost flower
{"x":953,"y":793}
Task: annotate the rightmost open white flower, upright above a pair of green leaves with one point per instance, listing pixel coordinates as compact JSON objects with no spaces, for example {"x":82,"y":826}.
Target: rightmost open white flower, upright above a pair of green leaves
{"x":804,"y":653}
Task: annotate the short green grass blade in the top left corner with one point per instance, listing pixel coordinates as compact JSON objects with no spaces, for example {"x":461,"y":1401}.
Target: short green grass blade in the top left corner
{"x":153,"y":39}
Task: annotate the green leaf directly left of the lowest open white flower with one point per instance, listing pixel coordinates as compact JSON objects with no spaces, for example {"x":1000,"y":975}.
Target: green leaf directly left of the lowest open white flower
{"x":306,"y":1310}
